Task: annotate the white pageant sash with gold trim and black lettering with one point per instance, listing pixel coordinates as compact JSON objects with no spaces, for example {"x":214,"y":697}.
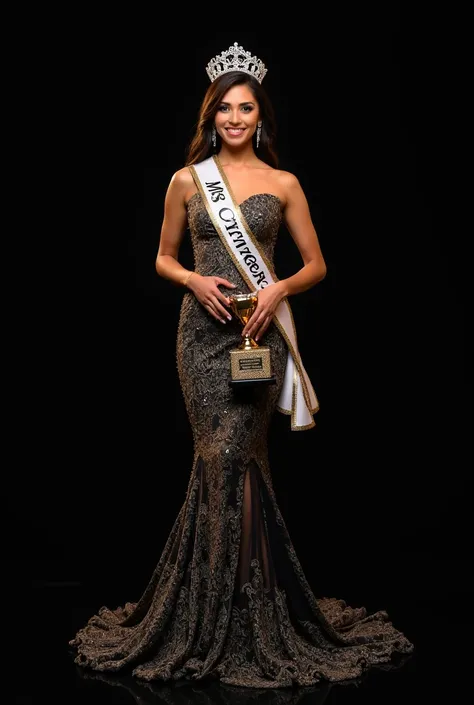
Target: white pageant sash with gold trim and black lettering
{"x":297,"y":395}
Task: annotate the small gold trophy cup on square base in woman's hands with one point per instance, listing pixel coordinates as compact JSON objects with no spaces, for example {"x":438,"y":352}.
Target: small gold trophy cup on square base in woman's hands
{"x":250,"y":362}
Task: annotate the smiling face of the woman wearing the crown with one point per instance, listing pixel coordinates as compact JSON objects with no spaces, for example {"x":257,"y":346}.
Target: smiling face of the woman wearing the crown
{"x":237,"y":116}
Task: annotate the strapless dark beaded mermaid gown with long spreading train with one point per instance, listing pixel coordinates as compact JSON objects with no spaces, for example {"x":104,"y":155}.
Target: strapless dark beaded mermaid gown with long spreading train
{"x":228,"y":598}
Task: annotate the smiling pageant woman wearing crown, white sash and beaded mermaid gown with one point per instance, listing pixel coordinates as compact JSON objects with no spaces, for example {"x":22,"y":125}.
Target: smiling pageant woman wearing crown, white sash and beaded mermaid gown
{"x":228,"y":598}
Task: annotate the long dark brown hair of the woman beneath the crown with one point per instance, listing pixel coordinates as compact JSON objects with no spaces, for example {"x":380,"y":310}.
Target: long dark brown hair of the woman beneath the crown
{"x":201,"y":145}
